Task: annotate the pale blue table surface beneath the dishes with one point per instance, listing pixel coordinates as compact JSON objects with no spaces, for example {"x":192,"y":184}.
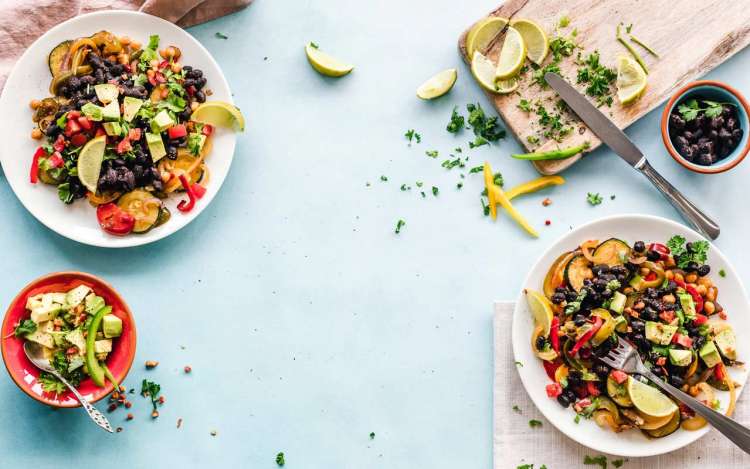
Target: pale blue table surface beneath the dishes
{"x":307,"y":322}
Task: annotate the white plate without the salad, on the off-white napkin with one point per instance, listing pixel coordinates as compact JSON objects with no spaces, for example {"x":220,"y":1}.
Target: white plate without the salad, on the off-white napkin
{"x":630,"y":228}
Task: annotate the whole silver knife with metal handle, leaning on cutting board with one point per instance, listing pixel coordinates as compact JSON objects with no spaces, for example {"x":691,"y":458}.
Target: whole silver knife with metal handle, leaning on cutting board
{"x":616,"y":139}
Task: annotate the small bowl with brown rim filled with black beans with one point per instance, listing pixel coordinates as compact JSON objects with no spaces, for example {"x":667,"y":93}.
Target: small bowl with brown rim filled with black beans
{"x":705,"y":127}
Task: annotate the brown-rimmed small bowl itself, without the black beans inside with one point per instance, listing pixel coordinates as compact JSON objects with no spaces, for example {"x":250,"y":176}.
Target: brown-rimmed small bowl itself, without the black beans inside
{"x":715,"y":91}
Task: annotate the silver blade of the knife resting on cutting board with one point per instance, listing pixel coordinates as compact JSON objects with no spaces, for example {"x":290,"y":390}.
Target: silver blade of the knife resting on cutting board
{"x":595,"y":120}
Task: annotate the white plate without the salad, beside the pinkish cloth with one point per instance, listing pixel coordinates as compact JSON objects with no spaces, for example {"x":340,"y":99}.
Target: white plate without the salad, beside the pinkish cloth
{"x":30,"y":79}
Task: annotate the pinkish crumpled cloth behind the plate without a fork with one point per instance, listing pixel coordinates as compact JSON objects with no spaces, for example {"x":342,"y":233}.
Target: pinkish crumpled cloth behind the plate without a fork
{"x":22,"y":22}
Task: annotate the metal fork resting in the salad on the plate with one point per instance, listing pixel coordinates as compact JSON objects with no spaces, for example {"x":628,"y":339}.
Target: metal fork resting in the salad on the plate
{"x":625,"y":357}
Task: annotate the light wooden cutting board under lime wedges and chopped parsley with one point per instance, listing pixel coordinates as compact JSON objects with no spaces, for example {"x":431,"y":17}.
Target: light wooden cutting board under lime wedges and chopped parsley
{"x":690,"y":36}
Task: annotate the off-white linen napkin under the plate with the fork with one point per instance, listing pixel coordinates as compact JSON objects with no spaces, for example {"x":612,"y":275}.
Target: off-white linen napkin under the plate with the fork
{"x":515,"y":443}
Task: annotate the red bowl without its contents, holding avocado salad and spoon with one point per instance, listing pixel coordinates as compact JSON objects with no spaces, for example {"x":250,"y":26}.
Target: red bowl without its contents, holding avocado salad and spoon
{"x":26,"y":375}
